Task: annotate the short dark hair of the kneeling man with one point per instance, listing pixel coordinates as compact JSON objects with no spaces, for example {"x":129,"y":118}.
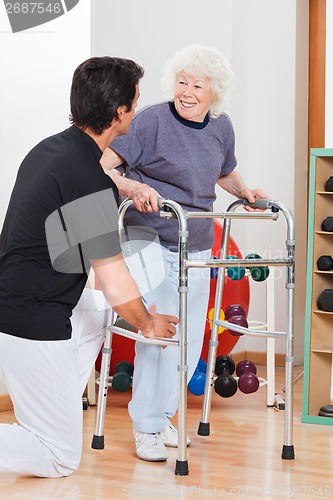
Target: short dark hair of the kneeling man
{"x":99,"y":86}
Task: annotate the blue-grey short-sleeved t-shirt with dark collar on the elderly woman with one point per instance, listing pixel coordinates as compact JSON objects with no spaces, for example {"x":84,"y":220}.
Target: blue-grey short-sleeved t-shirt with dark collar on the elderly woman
{"x":182,"y":160}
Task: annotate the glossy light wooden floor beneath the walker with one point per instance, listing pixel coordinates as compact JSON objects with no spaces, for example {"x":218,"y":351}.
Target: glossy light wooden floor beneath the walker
{"x":241,"y":458}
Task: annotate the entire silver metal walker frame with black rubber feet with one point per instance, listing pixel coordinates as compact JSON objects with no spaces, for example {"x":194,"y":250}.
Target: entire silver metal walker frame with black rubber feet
{"x":170,"y":208}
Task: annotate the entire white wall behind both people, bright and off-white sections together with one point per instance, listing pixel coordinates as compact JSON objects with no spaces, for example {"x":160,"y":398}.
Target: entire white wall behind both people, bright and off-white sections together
{"x":266,"y":43}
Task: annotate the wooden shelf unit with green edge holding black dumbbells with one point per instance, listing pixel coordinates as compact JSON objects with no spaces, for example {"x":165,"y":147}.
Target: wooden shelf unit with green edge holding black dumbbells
{"x":318,"y":345}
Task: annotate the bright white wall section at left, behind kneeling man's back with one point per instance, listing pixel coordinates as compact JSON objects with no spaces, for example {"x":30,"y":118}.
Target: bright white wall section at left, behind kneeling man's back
{"x":36,"y":70}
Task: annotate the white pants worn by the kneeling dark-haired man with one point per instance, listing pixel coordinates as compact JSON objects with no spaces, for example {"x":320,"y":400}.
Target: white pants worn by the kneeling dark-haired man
{"x":45,"y":381}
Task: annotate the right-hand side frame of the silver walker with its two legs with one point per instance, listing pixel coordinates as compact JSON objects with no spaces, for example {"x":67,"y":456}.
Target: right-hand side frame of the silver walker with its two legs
{"x":289,"y":262}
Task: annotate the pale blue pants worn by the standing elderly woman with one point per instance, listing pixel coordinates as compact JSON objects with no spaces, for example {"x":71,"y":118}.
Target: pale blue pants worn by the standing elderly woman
{"x":155,"y":379}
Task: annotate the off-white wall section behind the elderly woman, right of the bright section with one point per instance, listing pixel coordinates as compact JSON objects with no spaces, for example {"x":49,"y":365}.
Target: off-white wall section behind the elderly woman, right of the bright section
{"x":266,"y":43}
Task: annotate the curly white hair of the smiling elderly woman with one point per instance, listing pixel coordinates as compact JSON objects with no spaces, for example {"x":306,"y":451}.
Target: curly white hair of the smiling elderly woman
{"x":204,"y":61}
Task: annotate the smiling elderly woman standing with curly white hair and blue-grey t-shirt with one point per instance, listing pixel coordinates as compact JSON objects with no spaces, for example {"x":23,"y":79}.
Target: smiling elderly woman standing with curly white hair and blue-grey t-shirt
{"x":179,"y":149}
